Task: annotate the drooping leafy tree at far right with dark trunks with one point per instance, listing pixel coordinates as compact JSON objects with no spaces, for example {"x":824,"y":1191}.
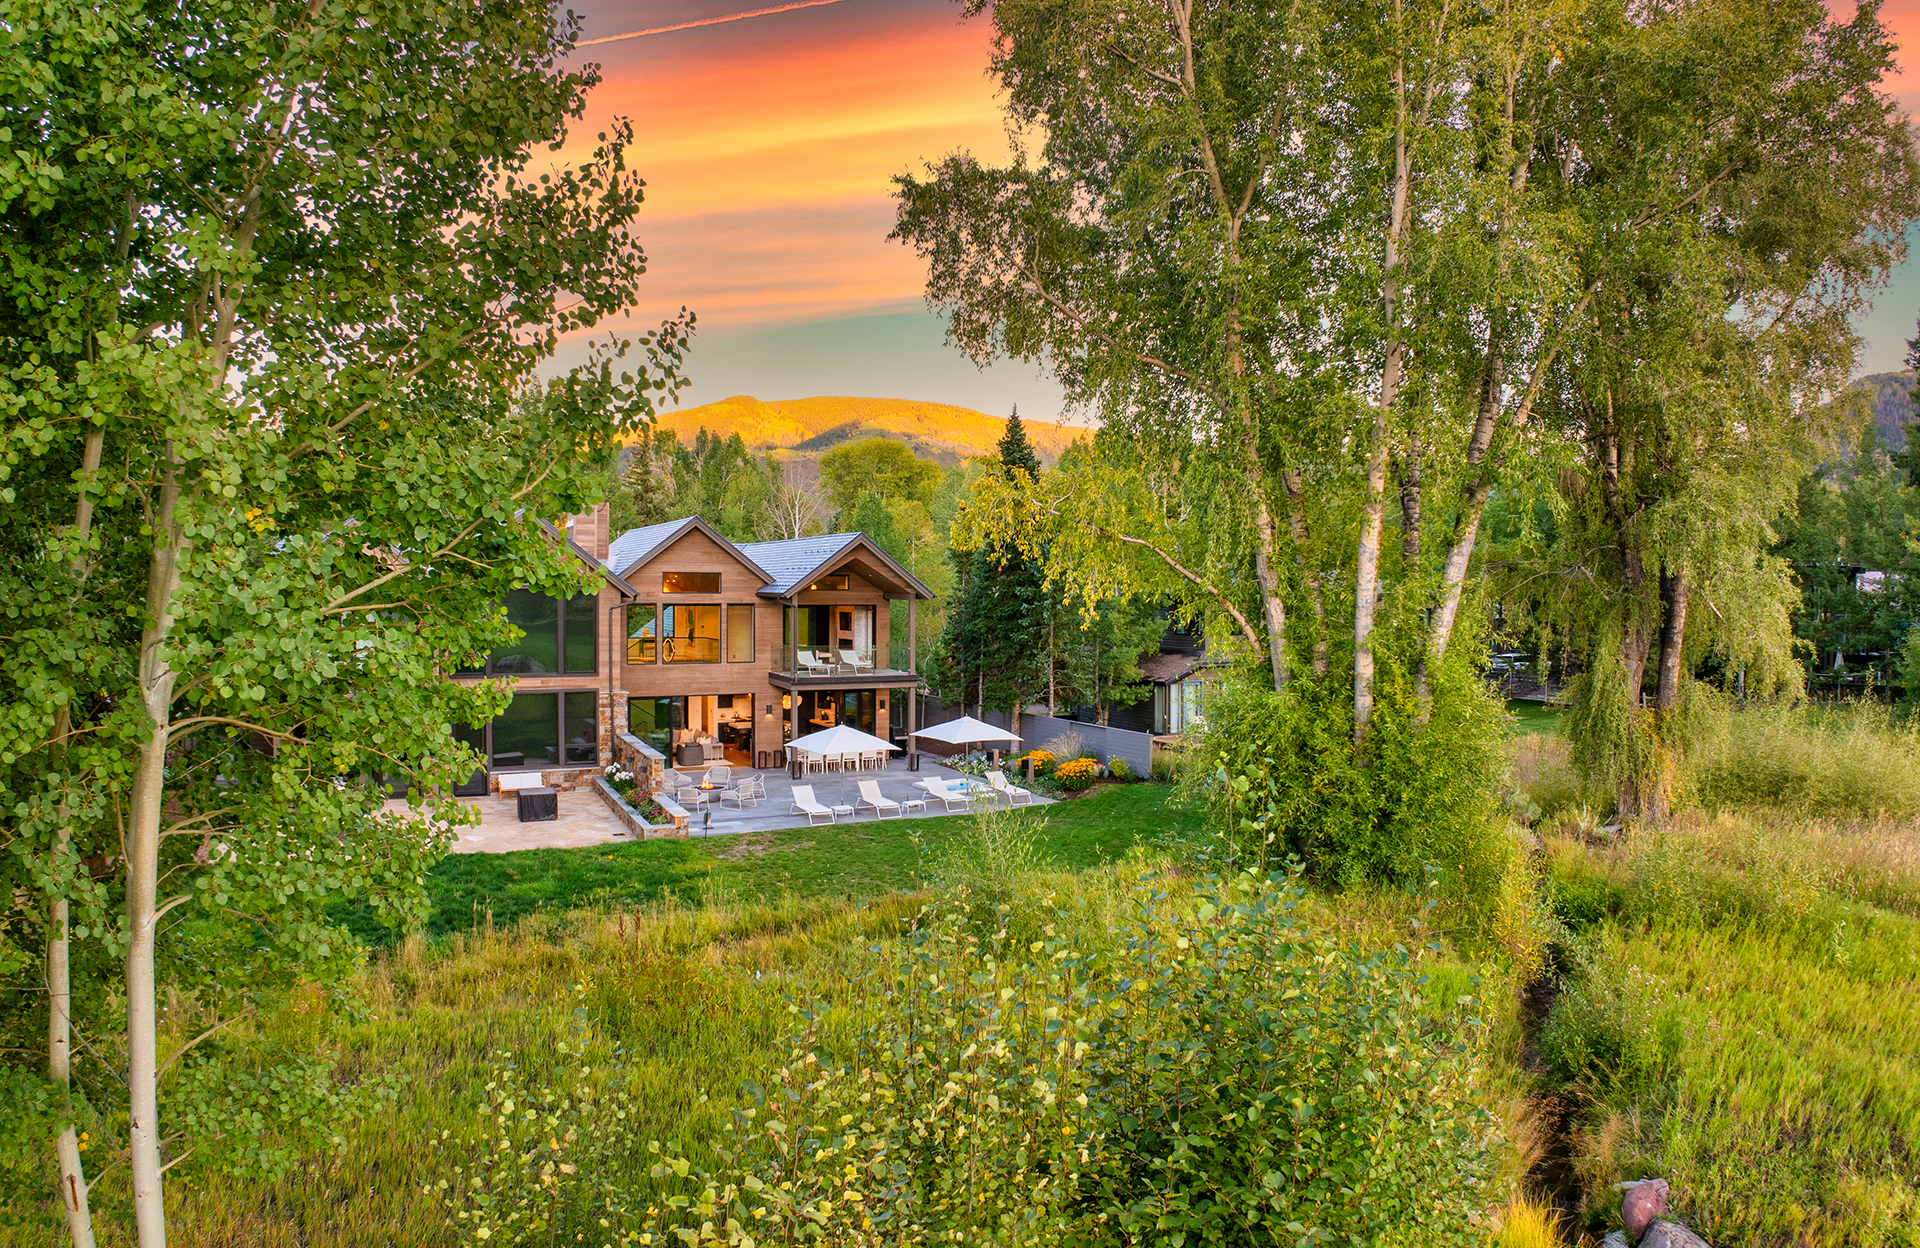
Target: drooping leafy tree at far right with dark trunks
{"x":1744,"y":185}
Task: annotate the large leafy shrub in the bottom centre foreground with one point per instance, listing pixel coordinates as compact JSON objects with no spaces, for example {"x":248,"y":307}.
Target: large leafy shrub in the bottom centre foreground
{"x":1212,"y":1076}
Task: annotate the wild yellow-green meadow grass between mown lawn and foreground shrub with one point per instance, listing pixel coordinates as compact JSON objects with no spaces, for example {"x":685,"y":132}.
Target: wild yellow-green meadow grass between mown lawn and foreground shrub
{"x":677,"y":1003}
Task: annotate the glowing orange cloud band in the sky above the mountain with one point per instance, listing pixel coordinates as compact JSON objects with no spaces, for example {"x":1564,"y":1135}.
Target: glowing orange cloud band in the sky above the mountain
{"x":769,"y":149}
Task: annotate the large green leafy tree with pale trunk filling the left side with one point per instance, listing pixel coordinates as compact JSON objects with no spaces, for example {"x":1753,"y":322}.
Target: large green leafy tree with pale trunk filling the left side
{"x":277,"y":283}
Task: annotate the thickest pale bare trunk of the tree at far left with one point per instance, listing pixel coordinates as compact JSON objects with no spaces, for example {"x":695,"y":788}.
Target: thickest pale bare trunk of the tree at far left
{"x":143,"y":875}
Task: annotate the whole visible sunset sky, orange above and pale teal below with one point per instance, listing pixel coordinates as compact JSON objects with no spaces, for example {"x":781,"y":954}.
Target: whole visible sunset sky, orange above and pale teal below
{"x":769,"y":145}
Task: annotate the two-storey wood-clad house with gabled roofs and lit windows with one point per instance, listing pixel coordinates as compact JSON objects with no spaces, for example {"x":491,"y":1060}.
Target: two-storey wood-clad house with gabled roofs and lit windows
{"x":704,"y":650}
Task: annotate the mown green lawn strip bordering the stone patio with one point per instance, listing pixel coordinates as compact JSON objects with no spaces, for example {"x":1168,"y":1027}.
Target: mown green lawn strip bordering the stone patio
{"x":855,"y":859}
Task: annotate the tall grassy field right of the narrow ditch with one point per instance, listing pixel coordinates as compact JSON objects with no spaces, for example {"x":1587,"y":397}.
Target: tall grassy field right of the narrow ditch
{"x":1740,"y":992}
